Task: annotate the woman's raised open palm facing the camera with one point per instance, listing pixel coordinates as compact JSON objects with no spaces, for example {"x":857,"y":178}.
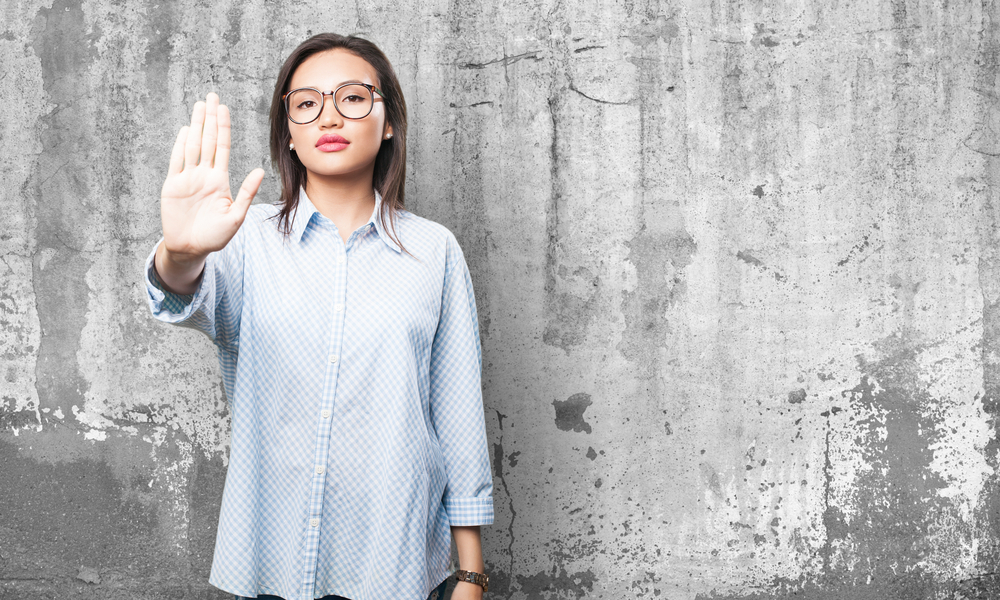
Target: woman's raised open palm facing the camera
{"x":197,"y":208}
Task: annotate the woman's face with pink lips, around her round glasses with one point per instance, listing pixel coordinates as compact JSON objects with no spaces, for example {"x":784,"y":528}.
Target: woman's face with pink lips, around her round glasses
{"x":326,"y":71}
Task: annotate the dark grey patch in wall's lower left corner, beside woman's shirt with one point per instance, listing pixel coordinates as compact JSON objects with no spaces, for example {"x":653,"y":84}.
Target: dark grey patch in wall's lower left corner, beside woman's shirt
{"x":57,"y":518}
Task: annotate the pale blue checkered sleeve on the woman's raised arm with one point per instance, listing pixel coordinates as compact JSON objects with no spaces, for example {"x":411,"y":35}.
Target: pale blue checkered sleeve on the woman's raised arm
{"x":214,"y":309}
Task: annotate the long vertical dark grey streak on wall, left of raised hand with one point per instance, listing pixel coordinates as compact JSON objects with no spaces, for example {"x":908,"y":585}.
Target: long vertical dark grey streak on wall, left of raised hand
{"x":65,"y":50}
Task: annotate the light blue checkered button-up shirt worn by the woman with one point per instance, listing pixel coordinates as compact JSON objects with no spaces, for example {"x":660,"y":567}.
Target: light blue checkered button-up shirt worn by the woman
{"x":353,"y":378}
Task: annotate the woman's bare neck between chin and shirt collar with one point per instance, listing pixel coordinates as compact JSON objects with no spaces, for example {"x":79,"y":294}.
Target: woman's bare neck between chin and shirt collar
{"x":347,"y":200}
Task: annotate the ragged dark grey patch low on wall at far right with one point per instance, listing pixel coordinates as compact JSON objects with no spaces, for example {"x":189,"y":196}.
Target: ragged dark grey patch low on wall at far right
{"x":898,"y":496}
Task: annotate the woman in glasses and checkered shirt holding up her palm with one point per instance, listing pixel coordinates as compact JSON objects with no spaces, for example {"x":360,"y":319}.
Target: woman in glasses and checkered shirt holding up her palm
{"x":347,"y":334}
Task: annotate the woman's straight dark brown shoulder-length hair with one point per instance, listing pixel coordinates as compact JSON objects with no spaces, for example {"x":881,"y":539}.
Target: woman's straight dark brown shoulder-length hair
{"x":390,"y":162}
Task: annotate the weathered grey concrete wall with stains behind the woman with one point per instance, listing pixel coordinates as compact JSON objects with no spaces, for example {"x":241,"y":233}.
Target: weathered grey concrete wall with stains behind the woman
{"x":736,"y":263}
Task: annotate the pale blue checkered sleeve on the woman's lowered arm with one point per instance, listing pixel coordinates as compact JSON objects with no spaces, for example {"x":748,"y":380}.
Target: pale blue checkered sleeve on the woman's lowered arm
{"x":456,"y":400}
